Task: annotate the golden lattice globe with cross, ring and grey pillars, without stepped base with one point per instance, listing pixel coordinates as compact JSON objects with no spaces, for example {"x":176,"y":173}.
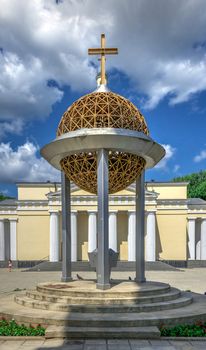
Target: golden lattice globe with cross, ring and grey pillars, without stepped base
{"x":103,"y":145}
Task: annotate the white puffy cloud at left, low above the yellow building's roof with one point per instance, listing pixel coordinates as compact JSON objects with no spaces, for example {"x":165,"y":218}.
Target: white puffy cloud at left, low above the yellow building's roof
{"x":23,"y":164}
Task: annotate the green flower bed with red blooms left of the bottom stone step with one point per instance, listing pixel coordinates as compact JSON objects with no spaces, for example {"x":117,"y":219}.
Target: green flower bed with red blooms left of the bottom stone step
{"x":11,"y":328}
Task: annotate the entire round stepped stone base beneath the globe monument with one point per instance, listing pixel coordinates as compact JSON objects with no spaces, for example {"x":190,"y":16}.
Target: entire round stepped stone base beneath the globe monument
{"x":128,"y":310}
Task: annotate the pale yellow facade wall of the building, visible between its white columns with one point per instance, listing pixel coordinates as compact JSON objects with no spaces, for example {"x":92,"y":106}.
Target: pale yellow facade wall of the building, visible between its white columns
{"x":33,"y":226}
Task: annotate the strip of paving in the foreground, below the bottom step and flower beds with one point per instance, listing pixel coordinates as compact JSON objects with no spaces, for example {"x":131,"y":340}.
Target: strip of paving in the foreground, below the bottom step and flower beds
{"x":102,"y":345}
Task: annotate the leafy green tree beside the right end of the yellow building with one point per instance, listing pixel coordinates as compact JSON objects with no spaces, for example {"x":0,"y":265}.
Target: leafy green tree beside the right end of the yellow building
{"x":197,"y":184}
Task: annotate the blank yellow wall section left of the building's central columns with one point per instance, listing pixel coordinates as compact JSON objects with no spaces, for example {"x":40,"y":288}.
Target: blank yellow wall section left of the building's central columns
{"x":33,"y":236}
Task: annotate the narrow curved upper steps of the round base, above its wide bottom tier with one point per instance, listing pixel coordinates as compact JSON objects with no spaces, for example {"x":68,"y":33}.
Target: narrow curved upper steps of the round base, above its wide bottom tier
{"x":95,"y":305}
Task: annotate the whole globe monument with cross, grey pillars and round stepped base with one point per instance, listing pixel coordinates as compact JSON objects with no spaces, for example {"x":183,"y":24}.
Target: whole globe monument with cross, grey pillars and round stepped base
{"x":103,"y":145}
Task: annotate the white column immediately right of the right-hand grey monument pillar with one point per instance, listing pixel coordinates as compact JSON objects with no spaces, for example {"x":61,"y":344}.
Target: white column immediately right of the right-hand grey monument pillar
{"x":151,"y":237}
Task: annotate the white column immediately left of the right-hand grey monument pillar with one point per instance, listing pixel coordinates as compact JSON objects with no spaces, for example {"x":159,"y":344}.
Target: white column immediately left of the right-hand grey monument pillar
{"x":131,"y":236}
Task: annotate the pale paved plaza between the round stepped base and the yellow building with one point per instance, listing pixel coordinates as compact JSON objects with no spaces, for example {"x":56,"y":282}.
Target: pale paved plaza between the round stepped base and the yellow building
{"x":188,"y":279}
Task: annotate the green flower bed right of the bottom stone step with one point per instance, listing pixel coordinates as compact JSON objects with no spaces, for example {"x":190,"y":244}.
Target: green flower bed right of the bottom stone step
{"x":184,"y":330}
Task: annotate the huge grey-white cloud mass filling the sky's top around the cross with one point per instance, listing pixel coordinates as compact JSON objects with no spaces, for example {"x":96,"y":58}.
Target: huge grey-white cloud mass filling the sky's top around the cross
{"x":161,"y":45}
